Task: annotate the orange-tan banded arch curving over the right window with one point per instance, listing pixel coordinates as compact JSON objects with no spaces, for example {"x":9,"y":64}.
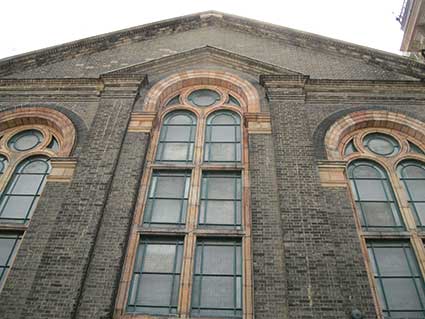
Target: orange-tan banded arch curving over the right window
{"x":375,"y":119}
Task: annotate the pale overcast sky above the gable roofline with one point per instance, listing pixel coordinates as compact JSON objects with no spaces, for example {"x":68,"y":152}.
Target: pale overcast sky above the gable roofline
{"x":27,"y":25}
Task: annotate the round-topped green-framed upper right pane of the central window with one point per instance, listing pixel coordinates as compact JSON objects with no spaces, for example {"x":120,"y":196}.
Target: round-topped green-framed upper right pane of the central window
{"x":223,"y":137}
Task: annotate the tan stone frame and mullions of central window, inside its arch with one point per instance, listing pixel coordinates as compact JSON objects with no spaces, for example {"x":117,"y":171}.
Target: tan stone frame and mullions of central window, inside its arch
{"x":191,"y":232}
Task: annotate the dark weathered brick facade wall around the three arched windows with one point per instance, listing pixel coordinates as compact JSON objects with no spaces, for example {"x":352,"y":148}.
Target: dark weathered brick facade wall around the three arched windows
{"x":307,"y":254}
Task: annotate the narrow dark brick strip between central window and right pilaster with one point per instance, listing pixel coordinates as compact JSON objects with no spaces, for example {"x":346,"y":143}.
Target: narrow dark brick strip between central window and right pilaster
{"x":268,"y":253}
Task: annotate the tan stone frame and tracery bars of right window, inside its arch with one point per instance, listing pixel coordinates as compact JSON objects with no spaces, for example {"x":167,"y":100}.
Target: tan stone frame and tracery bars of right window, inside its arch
{"x":412,"y":234}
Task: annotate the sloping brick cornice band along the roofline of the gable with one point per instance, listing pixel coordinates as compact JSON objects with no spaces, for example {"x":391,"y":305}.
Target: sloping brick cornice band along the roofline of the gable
{"x":84,"y":47}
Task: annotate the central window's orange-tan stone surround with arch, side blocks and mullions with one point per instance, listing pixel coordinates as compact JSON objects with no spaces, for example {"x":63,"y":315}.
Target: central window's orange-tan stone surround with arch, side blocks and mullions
{"x":148,"y":121}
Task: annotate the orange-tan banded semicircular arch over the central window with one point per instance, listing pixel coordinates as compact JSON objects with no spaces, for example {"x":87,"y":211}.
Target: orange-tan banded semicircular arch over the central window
{"x":166,"y":88}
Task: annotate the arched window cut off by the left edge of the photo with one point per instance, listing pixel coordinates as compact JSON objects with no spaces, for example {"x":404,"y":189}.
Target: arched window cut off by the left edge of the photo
{"x":25,"y":153}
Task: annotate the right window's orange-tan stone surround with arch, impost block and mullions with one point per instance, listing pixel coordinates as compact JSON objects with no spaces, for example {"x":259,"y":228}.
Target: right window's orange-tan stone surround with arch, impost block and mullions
{"x":355,"y":127}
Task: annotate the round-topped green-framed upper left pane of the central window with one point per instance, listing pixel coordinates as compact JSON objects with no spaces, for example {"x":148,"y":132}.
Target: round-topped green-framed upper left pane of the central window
{"x":177,"y":138}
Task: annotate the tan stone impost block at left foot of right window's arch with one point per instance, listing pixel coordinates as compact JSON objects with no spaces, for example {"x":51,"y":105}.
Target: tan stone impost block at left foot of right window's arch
{"x":332,"y":173}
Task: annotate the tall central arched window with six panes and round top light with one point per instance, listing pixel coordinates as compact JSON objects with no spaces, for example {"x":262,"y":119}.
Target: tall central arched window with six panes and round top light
{"x":187,"y":258}
